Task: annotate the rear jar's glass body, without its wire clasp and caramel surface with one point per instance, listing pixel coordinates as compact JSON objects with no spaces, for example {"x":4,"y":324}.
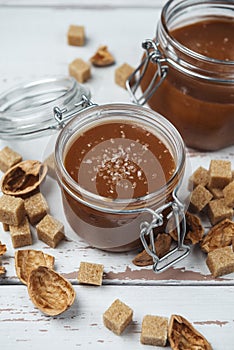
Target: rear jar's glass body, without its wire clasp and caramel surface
{"x":197,"y":95}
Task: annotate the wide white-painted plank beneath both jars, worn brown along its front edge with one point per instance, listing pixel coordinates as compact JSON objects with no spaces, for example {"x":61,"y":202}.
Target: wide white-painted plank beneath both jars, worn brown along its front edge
{"x":33,"y":54}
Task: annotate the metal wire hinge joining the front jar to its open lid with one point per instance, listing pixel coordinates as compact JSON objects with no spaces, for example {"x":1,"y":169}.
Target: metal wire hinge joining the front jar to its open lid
{"x":63,"y":115}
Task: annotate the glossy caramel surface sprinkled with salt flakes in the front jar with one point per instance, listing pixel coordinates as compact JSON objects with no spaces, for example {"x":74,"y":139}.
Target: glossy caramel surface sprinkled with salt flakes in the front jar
{"x":117,"y":160}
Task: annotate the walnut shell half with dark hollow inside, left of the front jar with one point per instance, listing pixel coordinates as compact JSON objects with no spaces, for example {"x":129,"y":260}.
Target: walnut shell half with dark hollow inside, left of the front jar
{"x":23,"y":178}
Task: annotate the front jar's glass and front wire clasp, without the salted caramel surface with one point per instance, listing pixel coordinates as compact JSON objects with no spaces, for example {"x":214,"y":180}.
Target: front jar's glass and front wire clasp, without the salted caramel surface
{"x":117,"y":224}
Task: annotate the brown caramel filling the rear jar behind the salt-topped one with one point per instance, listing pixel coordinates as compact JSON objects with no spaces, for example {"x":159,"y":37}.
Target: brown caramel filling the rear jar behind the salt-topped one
{"x":202,"y":111}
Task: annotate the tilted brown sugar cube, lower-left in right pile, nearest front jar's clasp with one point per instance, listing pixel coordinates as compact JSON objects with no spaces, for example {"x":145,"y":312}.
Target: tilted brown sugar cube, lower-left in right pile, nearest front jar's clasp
{"x":200,"y":197}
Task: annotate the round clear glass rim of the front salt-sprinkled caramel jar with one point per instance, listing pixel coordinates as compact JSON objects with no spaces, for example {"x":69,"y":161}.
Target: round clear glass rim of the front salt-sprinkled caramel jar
{"x":96,"y":114}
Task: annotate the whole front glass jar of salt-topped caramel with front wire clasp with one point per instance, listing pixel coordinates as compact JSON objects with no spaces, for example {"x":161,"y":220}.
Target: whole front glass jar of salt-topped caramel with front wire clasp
{"x":119,"y":167}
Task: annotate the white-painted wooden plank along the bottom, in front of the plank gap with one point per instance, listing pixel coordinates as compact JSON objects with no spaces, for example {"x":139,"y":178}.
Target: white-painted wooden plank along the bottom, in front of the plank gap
{"x":23,"y":326}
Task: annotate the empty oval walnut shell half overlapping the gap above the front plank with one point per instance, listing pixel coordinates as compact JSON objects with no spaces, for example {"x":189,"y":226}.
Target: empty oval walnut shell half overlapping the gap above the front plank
{"x":49,"y":291}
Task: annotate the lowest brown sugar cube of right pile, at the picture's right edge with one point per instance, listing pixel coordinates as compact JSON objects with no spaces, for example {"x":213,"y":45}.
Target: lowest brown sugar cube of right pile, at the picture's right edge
{"x":221,"y":261}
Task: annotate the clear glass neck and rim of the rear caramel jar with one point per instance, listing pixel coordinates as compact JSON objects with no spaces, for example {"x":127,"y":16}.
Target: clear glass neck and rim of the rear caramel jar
{"x":177,"y":12}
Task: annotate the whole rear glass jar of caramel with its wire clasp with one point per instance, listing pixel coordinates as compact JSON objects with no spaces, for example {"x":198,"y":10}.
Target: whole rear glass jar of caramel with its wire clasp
{"x":187,"y":73}
